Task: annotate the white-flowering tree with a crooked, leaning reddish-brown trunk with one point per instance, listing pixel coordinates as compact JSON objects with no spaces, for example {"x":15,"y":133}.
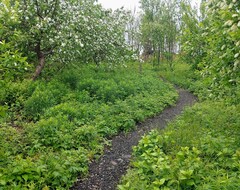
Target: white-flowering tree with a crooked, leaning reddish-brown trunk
{"x":49,"y":27}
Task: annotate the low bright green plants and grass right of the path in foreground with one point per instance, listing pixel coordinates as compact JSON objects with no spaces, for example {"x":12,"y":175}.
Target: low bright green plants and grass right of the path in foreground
{"x":200,"y":150}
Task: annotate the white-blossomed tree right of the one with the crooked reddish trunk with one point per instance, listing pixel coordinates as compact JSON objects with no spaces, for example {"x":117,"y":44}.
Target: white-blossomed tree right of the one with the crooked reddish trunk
{"x":102,"y":33}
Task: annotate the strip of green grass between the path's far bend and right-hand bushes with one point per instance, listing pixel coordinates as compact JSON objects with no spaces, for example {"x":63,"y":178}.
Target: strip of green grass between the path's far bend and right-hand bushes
{"x":204,"y":87}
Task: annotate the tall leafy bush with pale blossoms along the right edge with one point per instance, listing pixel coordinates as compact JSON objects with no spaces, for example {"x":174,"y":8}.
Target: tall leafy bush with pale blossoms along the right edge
{"x":218,"y":58}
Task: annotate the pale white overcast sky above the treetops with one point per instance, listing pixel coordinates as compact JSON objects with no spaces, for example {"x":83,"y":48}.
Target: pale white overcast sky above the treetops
{"x":128,"y":4}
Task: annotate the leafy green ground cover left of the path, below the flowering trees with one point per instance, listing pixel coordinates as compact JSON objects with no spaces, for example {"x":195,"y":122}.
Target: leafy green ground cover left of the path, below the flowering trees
{"x":51,"y":130}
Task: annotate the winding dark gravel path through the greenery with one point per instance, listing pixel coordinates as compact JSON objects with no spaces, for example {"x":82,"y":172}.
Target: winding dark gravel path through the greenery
{"x":106,"y":173}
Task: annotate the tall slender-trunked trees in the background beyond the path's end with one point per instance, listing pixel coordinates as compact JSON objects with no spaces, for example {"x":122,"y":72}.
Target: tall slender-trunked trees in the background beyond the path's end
{"x":159,"y":28}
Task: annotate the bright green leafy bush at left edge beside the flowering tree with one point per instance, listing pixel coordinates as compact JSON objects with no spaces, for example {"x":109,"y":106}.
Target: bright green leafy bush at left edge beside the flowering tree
{"x":13,"y":64}
